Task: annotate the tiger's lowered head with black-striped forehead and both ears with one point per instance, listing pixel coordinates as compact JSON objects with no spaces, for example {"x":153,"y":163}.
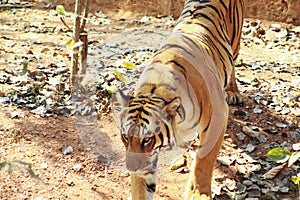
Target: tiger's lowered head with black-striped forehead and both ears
{"x":146,"y":128}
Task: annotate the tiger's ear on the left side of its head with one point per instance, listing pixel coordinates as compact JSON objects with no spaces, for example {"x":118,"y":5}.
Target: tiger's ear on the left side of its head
{"x":119,"y":103}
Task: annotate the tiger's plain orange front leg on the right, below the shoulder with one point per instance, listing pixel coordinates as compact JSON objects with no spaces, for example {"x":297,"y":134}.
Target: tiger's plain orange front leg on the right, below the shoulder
{"x":199,"y":182}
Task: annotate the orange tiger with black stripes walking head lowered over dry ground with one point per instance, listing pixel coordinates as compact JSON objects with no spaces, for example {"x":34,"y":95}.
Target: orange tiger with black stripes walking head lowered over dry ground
{"x":181,"y":94}
